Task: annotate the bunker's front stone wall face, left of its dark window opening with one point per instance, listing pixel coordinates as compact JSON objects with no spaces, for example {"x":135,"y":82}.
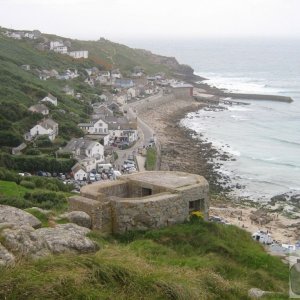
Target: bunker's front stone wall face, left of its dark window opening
{"x":152,"y":212}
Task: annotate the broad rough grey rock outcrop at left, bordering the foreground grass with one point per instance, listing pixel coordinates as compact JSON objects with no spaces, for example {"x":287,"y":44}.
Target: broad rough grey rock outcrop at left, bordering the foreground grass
{"x":24,"y":241}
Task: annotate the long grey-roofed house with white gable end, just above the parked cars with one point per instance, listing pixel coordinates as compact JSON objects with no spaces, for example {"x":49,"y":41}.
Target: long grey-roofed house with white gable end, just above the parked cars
{"x":82,"y":148}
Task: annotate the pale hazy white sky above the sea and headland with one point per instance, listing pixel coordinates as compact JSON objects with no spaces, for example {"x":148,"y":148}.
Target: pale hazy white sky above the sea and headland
{"x":128,"y":19}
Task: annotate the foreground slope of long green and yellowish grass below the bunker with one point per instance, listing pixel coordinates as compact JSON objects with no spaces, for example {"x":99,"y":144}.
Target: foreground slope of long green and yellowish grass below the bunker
{"x":189,"y":261}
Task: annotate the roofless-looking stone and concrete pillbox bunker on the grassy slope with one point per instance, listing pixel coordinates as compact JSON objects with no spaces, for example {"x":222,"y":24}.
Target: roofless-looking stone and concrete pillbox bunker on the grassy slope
{"x":123,"y":205}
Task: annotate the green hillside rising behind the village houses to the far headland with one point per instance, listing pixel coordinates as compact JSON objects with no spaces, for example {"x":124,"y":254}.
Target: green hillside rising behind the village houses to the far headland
{"x":20,"y":89}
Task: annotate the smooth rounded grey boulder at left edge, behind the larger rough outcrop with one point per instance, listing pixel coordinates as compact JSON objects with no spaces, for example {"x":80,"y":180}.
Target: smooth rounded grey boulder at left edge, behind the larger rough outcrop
{"x":16,"y":216}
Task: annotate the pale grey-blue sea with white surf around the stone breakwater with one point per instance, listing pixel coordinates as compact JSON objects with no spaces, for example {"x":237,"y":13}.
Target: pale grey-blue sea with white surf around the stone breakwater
{"x":263,"y":137}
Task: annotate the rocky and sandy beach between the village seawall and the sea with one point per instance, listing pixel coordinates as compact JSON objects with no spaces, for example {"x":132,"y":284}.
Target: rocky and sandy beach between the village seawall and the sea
{"x":180,"y":151}
